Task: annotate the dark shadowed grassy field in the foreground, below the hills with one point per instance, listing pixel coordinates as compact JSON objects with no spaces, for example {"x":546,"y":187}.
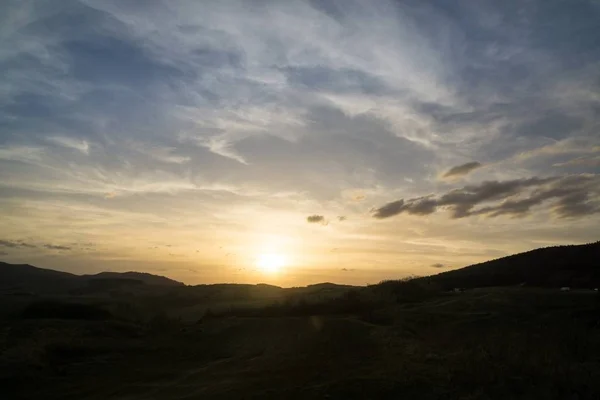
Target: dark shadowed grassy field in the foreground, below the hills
{"x":494,"y":343}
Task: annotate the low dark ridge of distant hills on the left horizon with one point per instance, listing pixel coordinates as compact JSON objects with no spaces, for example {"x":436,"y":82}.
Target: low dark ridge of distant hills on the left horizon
{"x":24,"y":277}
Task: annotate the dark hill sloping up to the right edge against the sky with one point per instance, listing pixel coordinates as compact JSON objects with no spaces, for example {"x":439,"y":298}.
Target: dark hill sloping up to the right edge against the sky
{"x":574,"y":266}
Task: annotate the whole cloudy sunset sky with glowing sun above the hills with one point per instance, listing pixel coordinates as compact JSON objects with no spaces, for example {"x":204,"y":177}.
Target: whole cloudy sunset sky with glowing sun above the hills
{"x":295,"y":142}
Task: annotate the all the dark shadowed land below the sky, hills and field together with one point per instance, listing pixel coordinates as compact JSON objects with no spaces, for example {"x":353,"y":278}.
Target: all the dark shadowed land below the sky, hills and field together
{"x":512,"y":334}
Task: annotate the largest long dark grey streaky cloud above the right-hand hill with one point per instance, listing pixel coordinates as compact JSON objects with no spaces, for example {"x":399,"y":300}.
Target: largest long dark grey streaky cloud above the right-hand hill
{"x":574,"y":196}
